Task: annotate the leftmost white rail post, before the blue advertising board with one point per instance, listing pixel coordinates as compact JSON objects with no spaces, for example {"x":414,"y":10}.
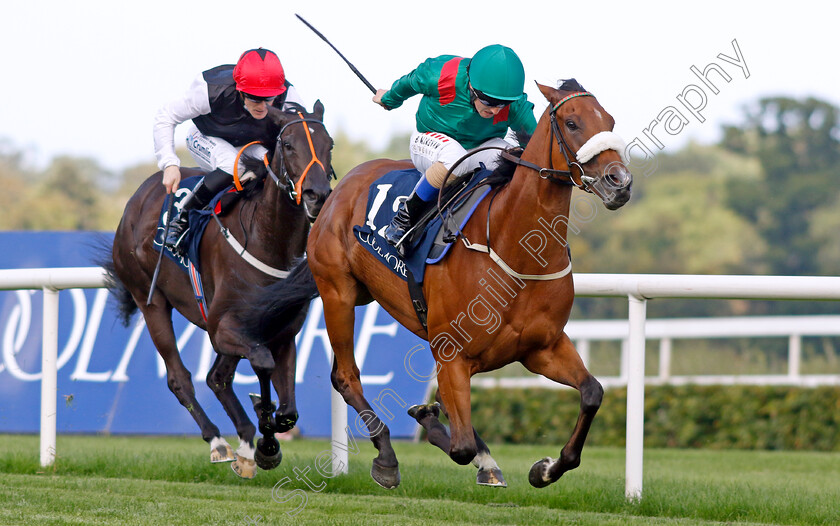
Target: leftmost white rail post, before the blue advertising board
{"x":49,"y":377}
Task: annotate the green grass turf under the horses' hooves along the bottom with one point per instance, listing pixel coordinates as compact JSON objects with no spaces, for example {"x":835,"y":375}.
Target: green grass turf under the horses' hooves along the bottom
{"x":169,"y":480}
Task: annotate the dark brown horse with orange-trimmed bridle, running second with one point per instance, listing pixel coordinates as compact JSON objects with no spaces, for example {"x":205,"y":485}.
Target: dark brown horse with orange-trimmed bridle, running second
{"x":270,"y":225}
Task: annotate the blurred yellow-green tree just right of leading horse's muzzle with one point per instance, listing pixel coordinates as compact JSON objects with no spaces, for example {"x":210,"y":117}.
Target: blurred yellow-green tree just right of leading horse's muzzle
{"x":677,"y":222}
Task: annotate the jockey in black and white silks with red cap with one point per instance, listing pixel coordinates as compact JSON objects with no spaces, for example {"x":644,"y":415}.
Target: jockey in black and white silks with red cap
{"x":227,"y":105}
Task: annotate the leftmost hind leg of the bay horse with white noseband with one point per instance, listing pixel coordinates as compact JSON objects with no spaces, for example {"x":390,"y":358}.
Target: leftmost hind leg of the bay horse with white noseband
{"x":339,"y":317}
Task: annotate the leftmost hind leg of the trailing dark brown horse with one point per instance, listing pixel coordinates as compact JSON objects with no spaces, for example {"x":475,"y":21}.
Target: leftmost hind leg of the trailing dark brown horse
{"x":179,"y":380}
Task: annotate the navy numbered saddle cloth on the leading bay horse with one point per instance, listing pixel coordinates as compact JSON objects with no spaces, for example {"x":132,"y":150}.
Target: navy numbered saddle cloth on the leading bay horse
{"x":384,"y":199}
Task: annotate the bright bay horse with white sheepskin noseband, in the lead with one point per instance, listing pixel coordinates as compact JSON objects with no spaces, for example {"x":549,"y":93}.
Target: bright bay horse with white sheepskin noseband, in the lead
{"x":483,"y":312}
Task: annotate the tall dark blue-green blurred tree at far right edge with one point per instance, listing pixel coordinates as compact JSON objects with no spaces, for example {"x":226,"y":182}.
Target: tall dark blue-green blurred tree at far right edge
{"x":793,"y":206}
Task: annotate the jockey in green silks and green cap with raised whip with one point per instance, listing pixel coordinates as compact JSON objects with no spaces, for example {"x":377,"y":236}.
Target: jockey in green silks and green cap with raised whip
{"x":466,"y":104}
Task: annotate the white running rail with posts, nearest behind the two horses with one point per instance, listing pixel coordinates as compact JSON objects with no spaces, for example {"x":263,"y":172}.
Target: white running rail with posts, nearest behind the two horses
{"x":637,"y":288}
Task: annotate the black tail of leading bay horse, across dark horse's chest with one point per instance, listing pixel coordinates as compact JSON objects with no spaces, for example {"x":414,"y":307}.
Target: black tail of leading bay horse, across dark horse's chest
{"x":274,"y":307}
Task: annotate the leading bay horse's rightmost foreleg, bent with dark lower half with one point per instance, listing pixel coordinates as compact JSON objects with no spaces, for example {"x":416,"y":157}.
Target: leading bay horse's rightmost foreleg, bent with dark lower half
{"x":563,"y":364}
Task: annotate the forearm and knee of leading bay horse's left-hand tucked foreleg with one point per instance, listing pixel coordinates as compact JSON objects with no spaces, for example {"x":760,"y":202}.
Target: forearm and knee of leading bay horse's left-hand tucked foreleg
{"x":454,"y":391}
